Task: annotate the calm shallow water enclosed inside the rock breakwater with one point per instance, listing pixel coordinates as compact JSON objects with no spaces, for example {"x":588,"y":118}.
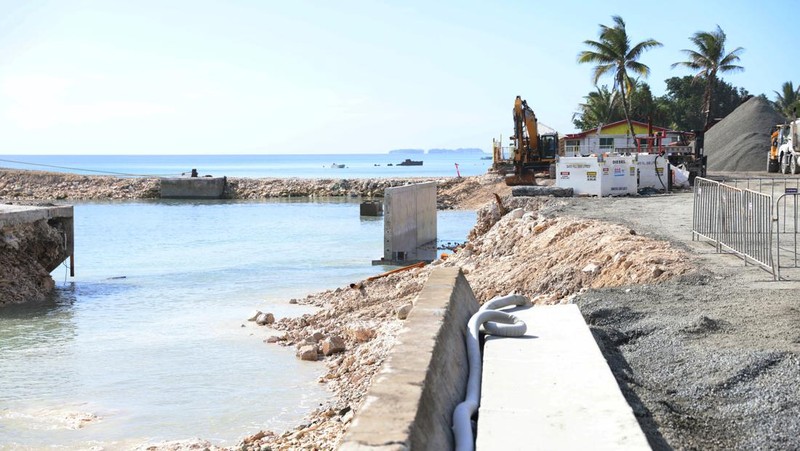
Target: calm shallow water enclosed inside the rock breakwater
{"x":148,"y":336}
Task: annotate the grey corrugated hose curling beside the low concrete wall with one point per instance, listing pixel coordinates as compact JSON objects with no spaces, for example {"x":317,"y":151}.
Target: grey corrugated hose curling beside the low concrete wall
{"x":495,"y":323}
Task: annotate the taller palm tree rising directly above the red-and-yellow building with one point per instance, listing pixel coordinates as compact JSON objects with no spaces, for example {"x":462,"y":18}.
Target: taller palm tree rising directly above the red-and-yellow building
{"x":614,"y":55}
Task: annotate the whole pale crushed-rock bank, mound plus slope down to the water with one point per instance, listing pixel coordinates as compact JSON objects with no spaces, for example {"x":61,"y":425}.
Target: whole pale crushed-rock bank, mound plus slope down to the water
{"x":527,"y":250}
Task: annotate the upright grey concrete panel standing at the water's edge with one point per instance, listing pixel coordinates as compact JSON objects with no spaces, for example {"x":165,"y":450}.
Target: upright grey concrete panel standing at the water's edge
{"x":410,"y":222}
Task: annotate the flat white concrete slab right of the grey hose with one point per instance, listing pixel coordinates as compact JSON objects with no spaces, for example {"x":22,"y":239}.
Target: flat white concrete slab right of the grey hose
{"x":552,"y":389}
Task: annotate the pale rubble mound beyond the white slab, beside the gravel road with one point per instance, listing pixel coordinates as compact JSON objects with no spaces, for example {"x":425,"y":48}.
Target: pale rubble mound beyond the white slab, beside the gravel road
{"x":551,"y":258}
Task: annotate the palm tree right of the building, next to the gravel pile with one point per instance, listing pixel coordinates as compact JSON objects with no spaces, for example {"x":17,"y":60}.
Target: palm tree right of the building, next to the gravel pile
{"x":709,"y":60}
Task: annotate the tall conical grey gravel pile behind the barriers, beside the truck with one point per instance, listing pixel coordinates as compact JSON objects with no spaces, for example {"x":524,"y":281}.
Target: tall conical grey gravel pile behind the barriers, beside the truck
{"x":740,"y":142}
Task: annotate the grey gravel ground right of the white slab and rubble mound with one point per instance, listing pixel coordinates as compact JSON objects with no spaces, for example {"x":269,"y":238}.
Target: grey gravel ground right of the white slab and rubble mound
{"x":710,"y":359}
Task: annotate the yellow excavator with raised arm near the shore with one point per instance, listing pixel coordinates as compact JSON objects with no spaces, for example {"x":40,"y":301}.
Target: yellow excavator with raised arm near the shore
{"x":532,"y":152}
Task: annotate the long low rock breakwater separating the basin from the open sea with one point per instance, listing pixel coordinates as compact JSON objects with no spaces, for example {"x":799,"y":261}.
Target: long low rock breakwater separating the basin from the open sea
{"x":20,"y":185}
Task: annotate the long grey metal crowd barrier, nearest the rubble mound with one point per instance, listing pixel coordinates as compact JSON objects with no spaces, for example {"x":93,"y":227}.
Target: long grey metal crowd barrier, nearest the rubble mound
{"x":735,"y":220}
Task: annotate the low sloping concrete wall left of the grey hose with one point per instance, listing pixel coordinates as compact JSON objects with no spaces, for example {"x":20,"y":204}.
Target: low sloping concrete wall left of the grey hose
{"x":410,"y":403}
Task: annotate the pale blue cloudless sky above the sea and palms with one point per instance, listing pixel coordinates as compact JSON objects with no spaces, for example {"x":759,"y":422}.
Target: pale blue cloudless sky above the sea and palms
{"x":341,"y":76}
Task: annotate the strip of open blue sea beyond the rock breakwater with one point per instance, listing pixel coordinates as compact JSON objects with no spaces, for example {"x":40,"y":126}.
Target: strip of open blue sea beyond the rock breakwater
{"x":303,"y":166}
